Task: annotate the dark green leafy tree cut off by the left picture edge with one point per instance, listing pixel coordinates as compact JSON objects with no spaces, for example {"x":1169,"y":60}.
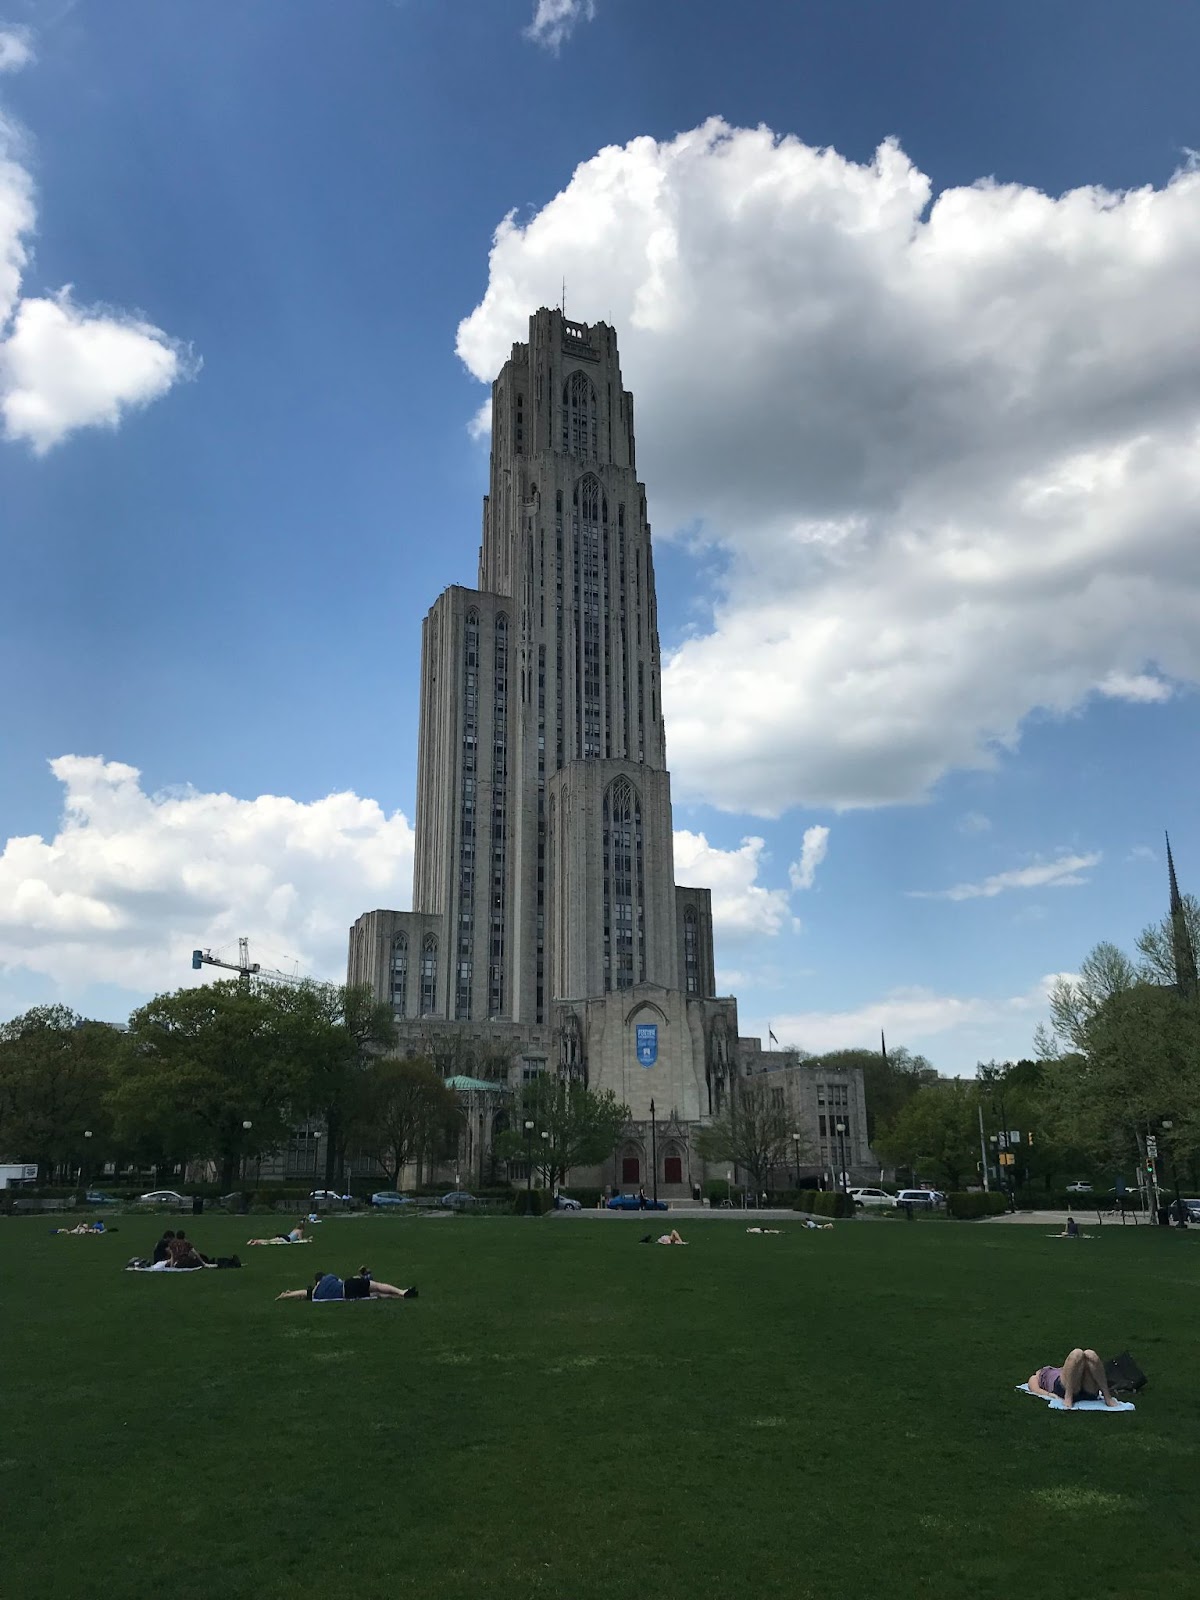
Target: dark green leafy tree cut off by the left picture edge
{"x":55,"y":1068}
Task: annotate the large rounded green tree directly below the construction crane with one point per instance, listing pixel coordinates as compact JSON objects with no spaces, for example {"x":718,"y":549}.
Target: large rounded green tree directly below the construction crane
{"x":204,"y":1063}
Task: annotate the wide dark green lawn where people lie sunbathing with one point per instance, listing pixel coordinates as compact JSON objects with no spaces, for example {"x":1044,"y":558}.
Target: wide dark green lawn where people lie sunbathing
{"x":566,"y":1414}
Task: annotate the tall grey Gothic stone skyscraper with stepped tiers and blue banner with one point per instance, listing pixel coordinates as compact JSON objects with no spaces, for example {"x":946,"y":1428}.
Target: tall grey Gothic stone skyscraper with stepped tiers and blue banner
{"x":545,"y":890}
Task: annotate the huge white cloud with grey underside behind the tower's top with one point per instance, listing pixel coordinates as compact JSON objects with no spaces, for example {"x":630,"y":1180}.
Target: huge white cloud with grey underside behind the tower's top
{"x":950,"y":446}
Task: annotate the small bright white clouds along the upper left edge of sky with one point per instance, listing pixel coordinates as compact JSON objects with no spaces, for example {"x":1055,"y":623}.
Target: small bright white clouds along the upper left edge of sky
{"x":65,"y":366}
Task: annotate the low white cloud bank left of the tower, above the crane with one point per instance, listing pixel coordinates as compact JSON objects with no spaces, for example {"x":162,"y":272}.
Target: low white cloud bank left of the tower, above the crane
{"x":134,"y":882}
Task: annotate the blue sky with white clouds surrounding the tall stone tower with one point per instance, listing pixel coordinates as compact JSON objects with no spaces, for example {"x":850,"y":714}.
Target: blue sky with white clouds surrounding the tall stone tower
{"x":918,"y":423}
